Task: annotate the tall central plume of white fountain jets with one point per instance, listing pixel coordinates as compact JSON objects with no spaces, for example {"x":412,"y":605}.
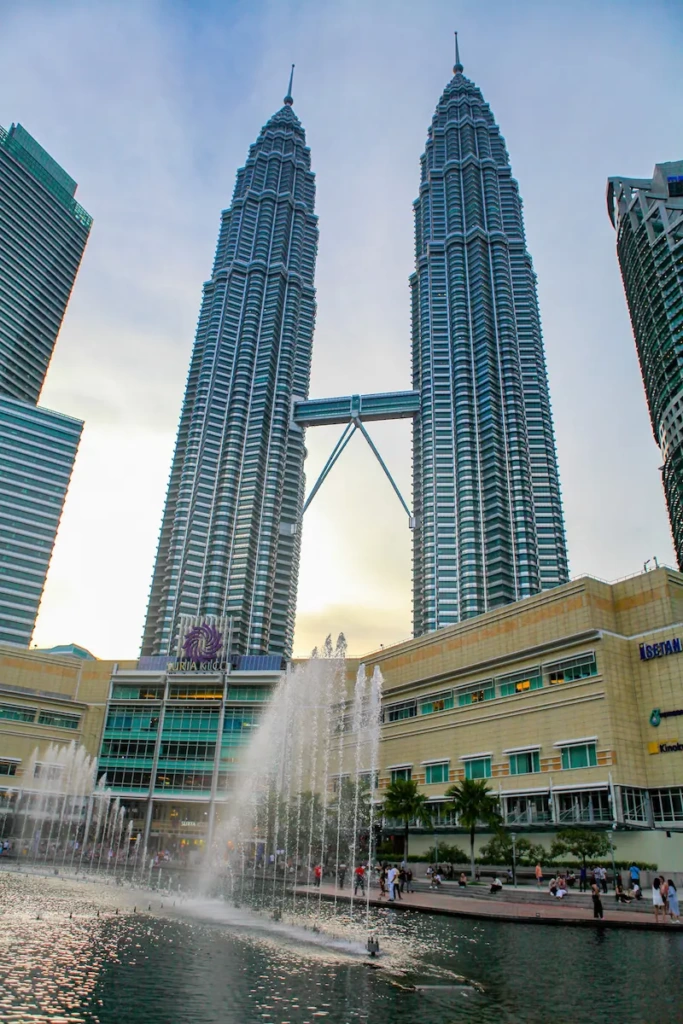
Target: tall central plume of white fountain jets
{"x":303,"y":808}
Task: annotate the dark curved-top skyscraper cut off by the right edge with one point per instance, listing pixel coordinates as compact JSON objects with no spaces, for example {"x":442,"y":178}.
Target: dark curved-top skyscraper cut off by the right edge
{"x":649,"y":217}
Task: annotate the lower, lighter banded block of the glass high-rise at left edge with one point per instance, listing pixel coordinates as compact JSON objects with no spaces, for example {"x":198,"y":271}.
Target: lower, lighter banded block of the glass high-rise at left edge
{"x":37,"y":453}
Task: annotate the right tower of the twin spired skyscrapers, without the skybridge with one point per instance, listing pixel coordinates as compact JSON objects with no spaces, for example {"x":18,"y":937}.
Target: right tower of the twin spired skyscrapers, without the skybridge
{"x":487,"y":498}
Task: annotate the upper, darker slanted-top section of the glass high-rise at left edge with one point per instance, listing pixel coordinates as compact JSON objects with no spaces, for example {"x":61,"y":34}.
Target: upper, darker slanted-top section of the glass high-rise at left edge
{"x":44,"y":233}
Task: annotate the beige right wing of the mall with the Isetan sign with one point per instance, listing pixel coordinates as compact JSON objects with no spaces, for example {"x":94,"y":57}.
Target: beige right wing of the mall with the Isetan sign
{"x":550,"y":700}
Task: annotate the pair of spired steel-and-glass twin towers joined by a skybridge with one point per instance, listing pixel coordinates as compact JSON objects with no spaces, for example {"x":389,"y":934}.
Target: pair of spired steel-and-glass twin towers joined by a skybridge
{"x":487,"y":521}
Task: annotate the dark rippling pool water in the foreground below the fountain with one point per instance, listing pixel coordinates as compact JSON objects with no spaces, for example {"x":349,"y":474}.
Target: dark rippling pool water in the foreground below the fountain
{"x":66,"y":956}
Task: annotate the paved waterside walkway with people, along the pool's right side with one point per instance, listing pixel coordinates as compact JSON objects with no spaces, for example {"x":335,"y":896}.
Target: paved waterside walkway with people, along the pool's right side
{"x":554,"y":913}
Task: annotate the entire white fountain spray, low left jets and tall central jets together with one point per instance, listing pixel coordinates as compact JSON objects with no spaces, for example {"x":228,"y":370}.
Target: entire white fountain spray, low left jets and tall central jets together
{"x":301,"y":814}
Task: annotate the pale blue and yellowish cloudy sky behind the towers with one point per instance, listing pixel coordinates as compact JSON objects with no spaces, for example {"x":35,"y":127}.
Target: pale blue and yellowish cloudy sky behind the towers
{"x":152,"y":106}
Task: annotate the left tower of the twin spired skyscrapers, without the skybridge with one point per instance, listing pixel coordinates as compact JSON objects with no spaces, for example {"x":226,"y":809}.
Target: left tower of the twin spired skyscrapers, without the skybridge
{"x":230,"y":539}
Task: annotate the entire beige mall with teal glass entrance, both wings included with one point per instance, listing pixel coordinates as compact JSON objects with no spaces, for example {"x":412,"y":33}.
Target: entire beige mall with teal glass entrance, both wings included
{"x":570,"y":703}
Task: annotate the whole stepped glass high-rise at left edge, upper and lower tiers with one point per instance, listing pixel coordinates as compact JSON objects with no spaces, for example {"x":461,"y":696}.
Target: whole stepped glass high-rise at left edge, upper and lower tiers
{"x":44,"y":233}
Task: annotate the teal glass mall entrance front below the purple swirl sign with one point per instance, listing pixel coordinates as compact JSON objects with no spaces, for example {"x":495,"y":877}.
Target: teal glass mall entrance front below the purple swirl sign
{"x":172,"y":744}
